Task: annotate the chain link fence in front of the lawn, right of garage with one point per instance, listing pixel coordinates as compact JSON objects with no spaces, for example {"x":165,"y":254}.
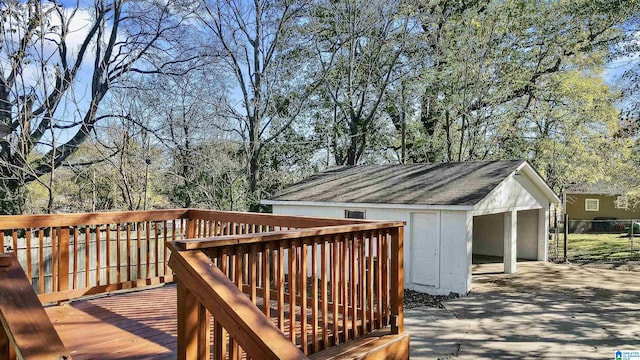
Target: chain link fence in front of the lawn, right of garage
{"x":600,"y":240}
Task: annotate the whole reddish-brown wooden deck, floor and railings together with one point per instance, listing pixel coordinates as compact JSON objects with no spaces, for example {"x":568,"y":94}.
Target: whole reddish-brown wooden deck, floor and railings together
{"x":326,"y":282}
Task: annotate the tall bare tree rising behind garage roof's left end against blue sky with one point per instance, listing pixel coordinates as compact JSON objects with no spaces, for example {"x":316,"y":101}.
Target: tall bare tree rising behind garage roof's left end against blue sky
{"x":264,"y":52}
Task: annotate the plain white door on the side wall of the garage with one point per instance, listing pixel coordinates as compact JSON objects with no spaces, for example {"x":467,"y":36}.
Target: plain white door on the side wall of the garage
{"x":425,"y":249}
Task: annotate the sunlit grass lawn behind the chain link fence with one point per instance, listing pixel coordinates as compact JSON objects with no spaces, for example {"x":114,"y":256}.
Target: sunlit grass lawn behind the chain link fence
{"x":598,"y":248}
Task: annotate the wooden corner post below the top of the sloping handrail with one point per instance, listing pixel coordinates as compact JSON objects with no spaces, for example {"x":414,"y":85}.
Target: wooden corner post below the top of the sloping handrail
{"x":193,"y":326}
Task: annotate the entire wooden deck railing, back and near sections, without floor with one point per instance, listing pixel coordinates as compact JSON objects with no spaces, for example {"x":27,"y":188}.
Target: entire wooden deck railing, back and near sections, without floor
{"x":273,"y":286}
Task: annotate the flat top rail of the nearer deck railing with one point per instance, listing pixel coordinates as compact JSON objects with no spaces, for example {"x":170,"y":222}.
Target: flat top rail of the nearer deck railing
{"x":218,"y":241}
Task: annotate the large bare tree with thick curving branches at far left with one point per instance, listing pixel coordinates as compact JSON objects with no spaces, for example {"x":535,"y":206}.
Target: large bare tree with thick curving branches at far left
{"x":57,"y":65}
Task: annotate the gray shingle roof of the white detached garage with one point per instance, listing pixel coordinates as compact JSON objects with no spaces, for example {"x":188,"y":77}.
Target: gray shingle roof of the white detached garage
{"x":462,"y":183}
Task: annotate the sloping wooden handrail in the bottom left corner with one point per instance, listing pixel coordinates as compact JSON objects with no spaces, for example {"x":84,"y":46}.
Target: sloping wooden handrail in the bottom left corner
{"x":28,"y":332}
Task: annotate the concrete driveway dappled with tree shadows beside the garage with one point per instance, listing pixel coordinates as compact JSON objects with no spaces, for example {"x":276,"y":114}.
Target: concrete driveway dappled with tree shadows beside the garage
{"x":543,"y":311}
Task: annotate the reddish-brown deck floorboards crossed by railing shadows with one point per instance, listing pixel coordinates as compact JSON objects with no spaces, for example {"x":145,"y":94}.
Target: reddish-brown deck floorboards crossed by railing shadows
{"x":134,"y":325}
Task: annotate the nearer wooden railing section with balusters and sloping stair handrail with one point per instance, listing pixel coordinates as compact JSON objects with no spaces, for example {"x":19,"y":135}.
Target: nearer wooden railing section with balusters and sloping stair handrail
{"x":319,"y":286}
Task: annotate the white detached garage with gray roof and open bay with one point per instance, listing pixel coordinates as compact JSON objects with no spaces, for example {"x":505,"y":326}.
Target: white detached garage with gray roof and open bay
{"x":452,"y":210}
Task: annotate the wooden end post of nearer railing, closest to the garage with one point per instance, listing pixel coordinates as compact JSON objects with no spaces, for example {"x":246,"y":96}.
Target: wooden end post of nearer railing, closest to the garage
{"x":397,"y":280}
